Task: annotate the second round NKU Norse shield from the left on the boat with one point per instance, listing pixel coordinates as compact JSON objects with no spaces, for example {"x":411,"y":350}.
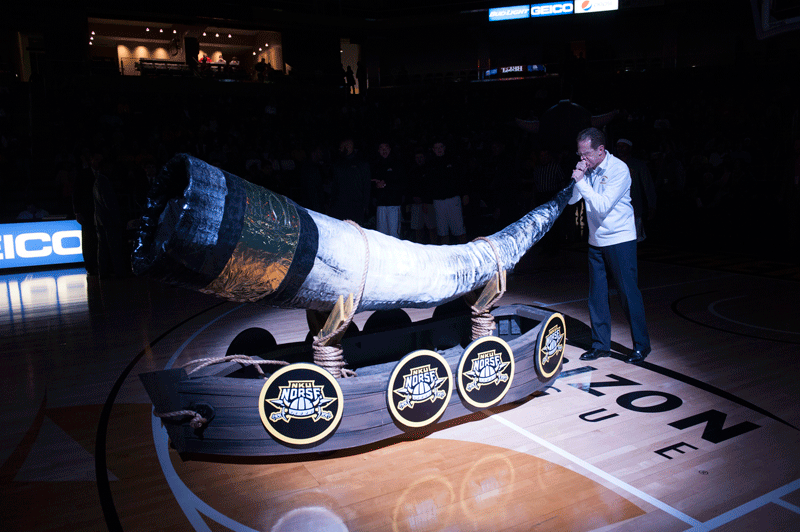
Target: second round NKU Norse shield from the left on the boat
{"x":420,"y":388}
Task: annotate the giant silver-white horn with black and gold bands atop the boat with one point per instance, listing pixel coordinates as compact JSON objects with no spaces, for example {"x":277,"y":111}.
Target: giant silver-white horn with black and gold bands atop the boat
{"x":208,"y":230}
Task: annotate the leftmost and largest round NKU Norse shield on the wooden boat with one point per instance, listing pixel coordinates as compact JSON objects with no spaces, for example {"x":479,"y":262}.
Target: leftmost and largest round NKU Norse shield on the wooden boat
{"x":301,"y":404}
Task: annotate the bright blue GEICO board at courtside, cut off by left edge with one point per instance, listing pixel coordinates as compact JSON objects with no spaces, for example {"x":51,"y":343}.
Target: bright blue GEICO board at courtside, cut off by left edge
{"x":40,"y":244}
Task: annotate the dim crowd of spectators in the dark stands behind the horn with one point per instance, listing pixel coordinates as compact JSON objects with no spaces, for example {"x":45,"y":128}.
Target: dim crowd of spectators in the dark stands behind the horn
{"x":724,"y":159}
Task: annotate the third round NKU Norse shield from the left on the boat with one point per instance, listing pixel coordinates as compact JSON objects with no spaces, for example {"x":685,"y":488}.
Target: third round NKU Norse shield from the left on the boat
{"x":485,"y":372}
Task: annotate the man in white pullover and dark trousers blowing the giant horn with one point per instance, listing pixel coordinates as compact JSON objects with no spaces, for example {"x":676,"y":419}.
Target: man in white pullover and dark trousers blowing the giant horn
{"x":604,"y":182}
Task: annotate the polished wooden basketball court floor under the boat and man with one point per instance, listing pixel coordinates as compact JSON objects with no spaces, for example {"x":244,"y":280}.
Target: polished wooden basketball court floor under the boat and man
{"x":702,"y":436}
